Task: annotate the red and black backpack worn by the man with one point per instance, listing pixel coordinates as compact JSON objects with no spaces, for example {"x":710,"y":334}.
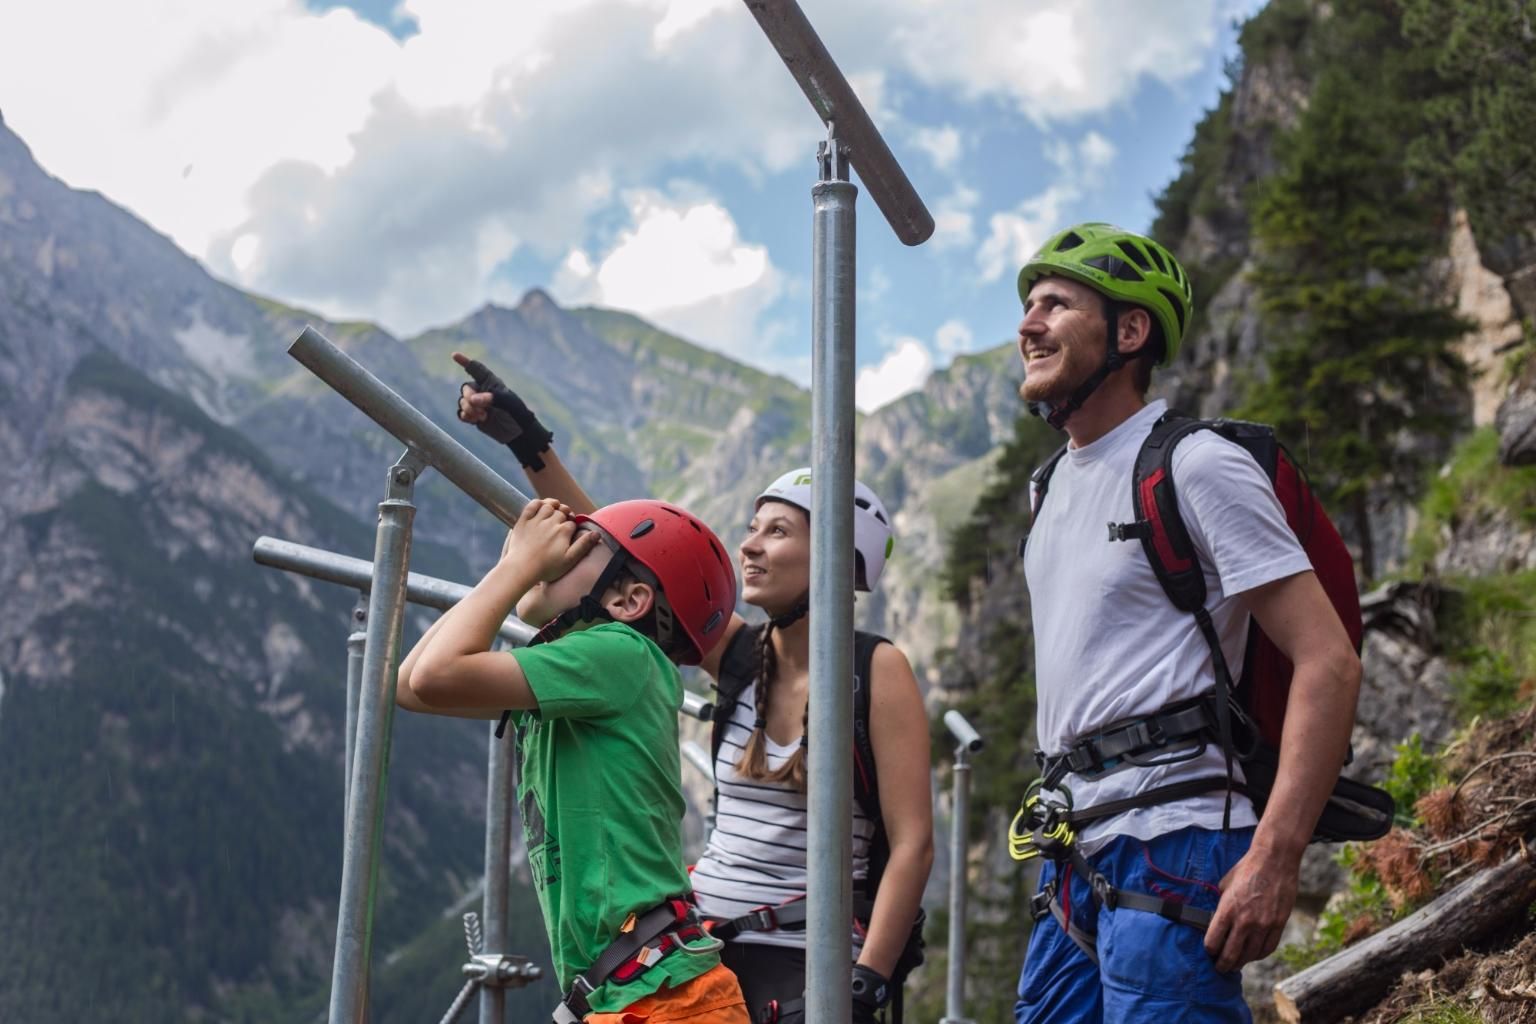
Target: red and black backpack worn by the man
{"x":1257,"y":699}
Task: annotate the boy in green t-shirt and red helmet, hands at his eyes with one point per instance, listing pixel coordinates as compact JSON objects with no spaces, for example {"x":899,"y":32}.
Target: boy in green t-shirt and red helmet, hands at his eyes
{"x":620,"y":596}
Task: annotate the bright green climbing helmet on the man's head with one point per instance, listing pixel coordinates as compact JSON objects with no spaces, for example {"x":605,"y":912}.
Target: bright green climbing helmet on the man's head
{"x":1124,"y":266}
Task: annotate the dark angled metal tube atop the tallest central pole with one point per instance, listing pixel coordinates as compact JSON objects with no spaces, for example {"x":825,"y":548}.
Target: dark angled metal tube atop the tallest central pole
{"x":835,"y":102}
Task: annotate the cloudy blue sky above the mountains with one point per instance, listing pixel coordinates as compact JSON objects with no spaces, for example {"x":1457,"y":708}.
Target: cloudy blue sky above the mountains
{"x":408,"y":164}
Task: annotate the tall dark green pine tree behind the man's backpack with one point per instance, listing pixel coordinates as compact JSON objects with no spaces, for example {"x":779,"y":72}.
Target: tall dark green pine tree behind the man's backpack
{"x":1360,"y":371}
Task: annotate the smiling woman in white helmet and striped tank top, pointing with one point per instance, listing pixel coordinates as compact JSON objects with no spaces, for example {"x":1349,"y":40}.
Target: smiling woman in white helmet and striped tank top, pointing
{"x":756,"y":854}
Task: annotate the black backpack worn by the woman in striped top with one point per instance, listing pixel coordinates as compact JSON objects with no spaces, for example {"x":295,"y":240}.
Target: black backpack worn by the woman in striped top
{"x":738,"y":670}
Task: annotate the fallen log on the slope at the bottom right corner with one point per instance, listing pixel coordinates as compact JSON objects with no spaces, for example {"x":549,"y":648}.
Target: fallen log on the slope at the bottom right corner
{"x":1359,"y":977}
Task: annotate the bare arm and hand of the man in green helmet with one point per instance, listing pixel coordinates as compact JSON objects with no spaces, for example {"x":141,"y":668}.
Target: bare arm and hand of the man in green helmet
{"x":1260,"y":891}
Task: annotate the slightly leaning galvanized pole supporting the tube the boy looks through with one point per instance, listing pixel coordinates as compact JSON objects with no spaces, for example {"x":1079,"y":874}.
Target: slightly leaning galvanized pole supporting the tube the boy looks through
{"x":349,"y":980}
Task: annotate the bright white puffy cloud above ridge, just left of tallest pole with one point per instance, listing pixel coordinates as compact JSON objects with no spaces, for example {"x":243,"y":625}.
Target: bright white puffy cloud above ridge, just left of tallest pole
{"x":684,"y":265}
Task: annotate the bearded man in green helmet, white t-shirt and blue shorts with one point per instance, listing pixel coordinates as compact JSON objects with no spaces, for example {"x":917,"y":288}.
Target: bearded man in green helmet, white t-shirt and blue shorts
{"x":1102,"y":308}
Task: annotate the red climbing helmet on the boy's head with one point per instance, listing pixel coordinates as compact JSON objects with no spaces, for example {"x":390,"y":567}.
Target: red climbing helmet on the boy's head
{"x":689,"y":563}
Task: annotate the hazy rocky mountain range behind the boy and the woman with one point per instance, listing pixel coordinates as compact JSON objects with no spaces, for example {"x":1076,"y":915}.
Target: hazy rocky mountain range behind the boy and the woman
{"x":171,"y":713}
